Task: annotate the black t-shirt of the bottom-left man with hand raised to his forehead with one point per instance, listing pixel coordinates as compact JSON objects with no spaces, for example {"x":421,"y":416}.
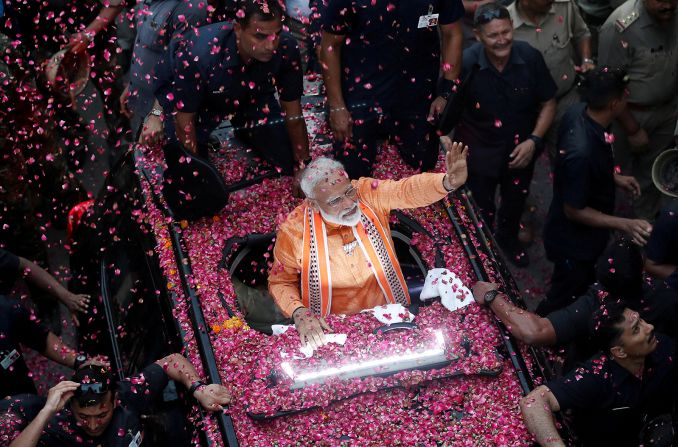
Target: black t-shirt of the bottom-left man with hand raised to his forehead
{"x":136,"y":396}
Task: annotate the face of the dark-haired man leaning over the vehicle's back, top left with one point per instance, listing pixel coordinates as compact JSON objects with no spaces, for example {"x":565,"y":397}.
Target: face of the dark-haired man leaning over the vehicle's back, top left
{"x":258,"y":40}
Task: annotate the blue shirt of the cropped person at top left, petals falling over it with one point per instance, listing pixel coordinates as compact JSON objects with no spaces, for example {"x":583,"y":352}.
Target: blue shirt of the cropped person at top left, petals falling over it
{"x":159,"y":21}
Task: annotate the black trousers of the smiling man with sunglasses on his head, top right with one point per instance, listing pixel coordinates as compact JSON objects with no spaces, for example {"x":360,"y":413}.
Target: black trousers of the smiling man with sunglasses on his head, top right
{"x":514,"y":187}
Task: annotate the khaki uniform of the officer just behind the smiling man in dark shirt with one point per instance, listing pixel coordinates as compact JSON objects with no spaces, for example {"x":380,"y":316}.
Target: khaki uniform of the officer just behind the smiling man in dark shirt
{"x":557,"y":37}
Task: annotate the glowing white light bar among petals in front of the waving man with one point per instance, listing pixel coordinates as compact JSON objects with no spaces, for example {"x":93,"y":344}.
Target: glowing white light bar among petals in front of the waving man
{"x":427,"y":359}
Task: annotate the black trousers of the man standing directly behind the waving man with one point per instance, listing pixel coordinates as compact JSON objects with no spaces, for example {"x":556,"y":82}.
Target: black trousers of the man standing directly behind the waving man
{"x":414,"y":136}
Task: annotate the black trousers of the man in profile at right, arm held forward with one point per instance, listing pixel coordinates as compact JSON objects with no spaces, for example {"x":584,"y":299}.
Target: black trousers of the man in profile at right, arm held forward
{"x":571,"y":278}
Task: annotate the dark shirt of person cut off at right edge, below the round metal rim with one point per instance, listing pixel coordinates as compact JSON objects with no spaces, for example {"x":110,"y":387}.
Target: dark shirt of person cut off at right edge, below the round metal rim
{"x":662,"y":247}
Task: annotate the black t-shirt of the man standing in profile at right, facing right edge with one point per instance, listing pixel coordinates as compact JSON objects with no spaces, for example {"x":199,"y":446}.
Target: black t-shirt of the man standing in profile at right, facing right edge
{"x":583,"y":177}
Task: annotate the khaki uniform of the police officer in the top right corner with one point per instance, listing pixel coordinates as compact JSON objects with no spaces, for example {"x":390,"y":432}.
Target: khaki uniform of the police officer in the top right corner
{"x":631,"y":38}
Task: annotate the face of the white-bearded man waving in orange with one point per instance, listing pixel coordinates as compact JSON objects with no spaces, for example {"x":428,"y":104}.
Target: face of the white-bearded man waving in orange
{"x":336,"y":199}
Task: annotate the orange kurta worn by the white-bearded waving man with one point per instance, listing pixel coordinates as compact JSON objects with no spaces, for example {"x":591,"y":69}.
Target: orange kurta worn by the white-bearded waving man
{"x":354,"y":287}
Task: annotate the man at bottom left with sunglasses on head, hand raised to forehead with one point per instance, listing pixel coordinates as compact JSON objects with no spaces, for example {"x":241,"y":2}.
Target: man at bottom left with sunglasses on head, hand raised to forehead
{"x":92,"y":409}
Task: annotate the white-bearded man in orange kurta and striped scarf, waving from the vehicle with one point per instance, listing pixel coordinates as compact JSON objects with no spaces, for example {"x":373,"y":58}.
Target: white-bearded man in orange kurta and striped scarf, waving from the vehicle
{"x":334,"y":253}
